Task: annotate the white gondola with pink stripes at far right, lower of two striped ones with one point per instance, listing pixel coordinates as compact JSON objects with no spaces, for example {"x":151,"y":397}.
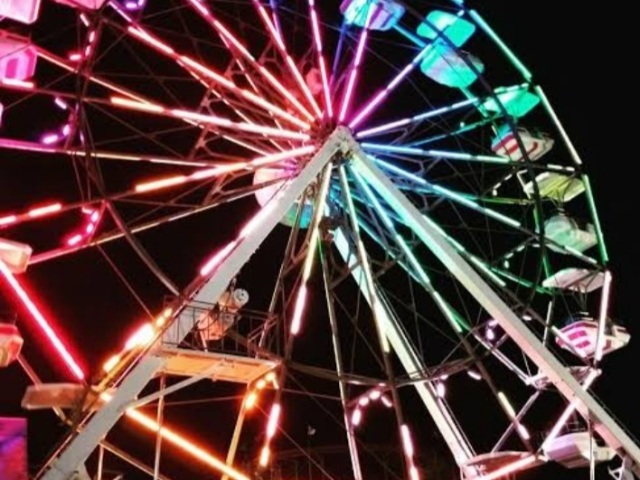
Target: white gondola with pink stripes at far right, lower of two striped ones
{"x":582,"y":333}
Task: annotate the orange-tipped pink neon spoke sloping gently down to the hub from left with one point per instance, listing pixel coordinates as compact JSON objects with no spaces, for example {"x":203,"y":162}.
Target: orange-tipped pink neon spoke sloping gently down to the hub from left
{"x":205,"y":119}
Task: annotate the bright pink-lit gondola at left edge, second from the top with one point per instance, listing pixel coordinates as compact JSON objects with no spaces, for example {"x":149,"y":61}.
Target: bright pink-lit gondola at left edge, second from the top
{"x":18,"y":57}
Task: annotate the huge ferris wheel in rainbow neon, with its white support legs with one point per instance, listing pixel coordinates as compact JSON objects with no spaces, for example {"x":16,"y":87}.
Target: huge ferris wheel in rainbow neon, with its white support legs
{"x":353,"y":223}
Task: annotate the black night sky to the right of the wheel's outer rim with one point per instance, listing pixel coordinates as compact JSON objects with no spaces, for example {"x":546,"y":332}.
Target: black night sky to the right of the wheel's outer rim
{"x":579,"y":56}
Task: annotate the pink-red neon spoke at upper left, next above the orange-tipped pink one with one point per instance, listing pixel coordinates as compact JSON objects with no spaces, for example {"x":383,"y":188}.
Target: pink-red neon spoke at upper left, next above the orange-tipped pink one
{"x":198,"y":70}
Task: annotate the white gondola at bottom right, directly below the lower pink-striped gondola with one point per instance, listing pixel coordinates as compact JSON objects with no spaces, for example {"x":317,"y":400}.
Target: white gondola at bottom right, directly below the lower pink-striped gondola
{"x":573,"y":450}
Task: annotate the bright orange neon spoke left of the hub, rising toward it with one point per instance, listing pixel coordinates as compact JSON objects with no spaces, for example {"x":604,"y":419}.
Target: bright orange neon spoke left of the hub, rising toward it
{"x":223,"y":169}
